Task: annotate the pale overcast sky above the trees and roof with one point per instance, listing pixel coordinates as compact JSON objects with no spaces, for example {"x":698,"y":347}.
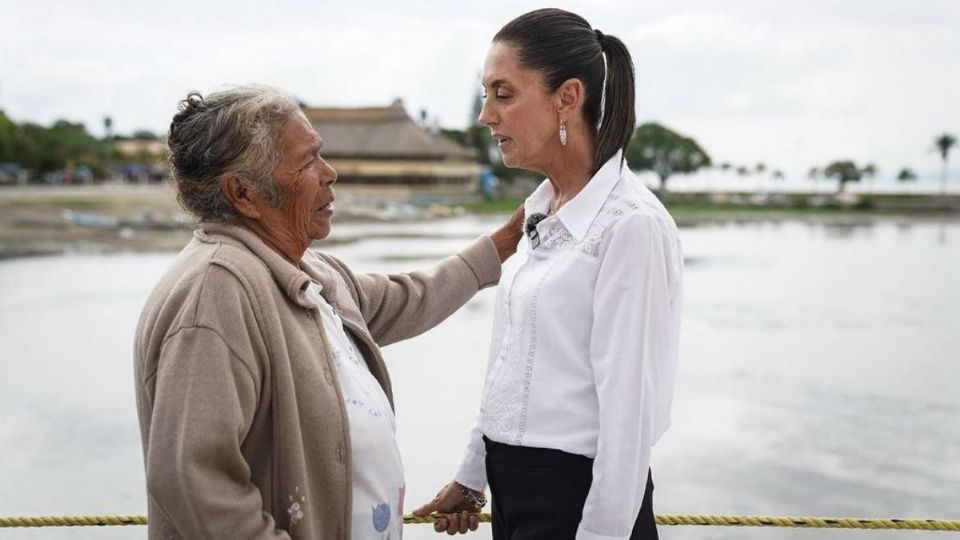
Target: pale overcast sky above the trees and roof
{"x":791,"y":83}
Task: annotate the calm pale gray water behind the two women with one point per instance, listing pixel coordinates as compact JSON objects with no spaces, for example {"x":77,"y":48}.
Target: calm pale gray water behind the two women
{"x":819,"y":377}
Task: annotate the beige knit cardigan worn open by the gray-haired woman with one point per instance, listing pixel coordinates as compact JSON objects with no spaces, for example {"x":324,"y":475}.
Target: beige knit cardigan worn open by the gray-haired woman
{"x":240,"y":409}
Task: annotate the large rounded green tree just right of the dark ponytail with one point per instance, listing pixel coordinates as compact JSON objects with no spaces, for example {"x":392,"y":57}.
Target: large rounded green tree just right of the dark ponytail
{"x":666,"y":153}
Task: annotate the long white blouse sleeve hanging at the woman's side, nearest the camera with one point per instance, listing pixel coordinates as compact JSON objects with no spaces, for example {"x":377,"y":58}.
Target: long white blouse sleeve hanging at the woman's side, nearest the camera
{"x":630,"y":340}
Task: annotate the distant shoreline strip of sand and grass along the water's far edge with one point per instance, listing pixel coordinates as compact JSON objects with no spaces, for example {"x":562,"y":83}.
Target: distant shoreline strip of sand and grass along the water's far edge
{"x":38,"y":221}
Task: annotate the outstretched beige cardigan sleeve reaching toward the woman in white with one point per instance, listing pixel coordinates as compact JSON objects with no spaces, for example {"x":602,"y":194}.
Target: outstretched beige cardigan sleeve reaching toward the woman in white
{"x":400,"y":306}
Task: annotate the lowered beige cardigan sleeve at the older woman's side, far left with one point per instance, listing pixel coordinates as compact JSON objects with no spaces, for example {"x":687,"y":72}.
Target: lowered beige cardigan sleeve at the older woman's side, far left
{"x":204,"y":404}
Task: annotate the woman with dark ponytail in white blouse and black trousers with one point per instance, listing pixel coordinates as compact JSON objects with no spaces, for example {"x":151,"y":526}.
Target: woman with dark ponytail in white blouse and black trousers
{"x":584,"y":351}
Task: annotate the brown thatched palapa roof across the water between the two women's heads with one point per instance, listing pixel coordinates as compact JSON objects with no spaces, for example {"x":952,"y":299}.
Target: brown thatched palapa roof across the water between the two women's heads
{"x":381,"y":133}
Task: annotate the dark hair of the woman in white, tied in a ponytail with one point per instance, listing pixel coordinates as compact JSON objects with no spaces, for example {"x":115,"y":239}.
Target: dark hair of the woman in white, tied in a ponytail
{"x":562,"y":46}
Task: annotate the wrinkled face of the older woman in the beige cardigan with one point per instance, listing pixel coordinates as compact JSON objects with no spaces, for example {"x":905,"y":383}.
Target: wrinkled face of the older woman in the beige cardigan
{"x":306,"y":186}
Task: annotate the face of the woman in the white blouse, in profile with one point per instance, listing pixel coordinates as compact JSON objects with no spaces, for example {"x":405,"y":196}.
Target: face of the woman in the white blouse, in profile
{"x":519,"y":110}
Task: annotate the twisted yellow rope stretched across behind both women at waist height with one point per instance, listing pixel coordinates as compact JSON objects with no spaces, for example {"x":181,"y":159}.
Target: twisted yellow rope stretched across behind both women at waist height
{"x":662,"y":519}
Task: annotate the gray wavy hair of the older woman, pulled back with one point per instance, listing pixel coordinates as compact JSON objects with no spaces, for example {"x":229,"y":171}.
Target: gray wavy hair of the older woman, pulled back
{"x":231,"y":132}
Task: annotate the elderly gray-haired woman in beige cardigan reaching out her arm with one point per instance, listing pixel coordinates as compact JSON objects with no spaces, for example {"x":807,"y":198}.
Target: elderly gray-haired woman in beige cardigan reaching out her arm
{"x":265,"y":406}
